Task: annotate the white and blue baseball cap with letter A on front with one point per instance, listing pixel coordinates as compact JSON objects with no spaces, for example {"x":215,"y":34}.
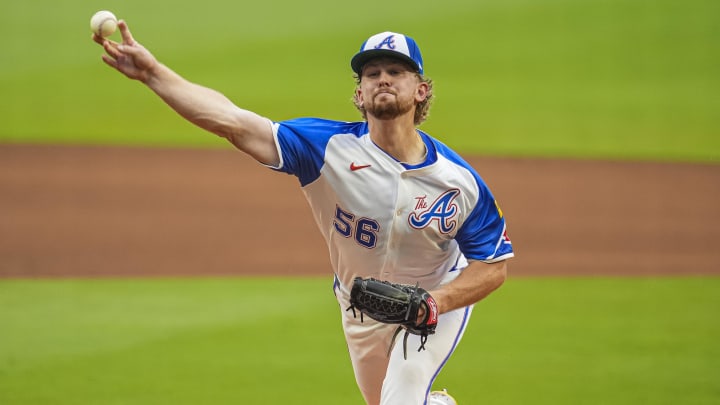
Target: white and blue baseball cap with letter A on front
{"x":388,"y":44}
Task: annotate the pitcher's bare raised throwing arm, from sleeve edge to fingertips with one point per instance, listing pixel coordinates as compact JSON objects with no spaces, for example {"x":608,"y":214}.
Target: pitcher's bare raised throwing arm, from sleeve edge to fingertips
{"x":200,"y":105}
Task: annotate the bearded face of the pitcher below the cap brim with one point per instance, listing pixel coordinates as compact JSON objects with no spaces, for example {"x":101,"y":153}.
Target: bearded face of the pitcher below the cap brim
{"x":389,"y":89}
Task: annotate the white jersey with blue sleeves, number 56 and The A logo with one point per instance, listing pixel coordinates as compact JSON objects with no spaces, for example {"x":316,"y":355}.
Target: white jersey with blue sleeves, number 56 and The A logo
{"x":385,"y":219}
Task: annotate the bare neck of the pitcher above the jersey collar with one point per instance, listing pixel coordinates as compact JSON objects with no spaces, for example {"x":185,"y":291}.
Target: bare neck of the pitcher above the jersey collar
{"x":400,"y":140}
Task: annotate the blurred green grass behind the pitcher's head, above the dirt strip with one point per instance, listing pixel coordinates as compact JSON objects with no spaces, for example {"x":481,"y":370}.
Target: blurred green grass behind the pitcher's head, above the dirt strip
{"x":625,"y":79}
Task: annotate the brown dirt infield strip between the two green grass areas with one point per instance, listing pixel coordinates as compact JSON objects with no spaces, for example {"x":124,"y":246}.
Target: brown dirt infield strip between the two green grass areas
{"x":85,"y":211}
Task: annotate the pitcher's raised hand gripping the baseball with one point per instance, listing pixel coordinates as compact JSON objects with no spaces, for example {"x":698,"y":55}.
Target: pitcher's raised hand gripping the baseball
{"x":128,"y":57}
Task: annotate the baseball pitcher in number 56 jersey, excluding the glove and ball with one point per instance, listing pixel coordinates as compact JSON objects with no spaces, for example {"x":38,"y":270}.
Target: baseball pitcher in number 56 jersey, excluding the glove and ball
{"x":392,"y":202}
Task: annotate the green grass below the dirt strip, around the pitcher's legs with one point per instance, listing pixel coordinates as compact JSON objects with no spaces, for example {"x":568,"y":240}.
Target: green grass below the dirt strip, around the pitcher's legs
{"x":225,"y":341}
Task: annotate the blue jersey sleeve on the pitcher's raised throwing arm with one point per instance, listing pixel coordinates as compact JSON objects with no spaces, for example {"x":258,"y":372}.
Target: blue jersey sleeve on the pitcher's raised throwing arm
{"x":303,"y":142}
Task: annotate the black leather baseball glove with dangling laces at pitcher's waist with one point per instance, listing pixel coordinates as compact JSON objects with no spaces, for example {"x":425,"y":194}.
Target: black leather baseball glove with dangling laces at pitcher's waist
{"x":395,"y":304}
